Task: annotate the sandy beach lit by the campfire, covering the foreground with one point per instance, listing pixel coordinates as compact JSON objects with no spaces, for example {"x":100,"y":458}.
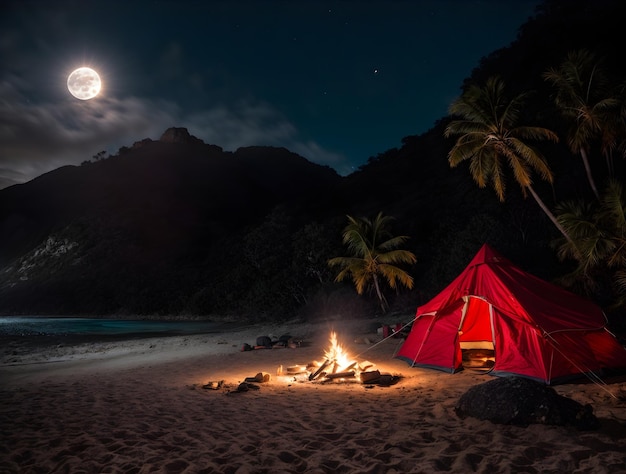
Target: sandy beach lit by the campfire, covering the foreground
{"x":139,"y":406}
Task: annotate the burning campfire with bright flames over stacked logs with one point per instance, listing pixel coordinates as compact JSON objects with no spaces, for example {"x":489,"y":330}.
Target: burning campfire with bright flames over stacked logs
{"x":338,"y":365}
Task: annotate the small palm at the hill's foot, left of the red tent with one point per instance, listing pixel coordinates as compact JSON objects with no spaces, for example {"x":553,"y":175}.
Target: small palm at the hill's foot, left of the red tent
{"x":375,"y":254}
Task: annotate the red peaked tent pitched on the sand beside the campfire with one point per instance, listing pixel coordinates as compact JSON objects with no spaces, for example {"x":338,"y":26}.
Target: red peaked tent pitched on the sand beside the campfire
{"x":534,"y":328}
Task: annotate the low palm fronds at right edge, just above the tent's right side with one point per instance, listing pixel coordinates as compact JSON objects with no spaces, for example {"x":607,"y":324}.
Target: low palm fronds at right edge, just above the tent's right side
{"x":598,"y":231}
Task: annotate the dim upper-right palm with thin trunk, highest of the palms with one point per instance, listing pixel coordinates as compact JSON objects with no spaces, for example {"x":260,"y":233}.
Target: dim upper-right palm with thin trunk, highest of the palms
{"x":584,"y":99}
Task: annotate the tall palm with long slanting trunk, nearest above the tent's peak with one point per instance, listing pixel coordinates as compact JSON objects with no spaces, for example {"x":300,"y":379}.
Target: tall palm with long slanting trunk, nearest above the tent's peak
{"x":490,"y":138}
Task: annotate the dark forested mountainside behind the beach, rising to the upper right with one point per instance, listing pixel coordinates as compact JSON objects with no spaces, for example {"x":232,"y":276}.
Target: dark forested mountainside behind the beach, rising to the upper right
{"x":183,"y":228}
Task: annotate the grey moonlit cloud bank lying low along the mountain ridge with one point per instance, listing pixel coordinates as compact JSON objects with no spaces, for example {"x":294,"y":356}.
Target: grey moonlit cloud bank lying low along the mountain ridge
{"x":35,"y":139}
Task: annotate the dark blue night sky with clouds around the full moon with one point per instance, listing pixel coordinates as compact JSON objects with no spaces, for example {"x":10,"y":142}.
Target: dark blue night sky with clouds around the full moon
{"x":334,"y":81}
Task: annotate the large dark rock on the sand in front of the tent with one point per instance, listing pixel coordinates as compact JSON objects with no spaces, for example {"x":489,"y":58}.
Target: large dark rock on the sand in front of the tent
{"x":521,"y":401}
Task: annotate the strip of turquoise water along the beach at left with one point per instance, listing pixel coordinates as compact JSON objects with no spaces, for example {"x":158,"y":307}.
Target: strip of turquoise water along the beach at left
{"x":30,"y":326}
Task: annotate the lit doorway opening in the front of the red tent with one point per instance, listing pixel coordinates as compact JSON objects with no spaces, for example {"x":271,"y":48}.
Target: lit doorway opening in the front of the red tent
{"x":476,"y":335}
